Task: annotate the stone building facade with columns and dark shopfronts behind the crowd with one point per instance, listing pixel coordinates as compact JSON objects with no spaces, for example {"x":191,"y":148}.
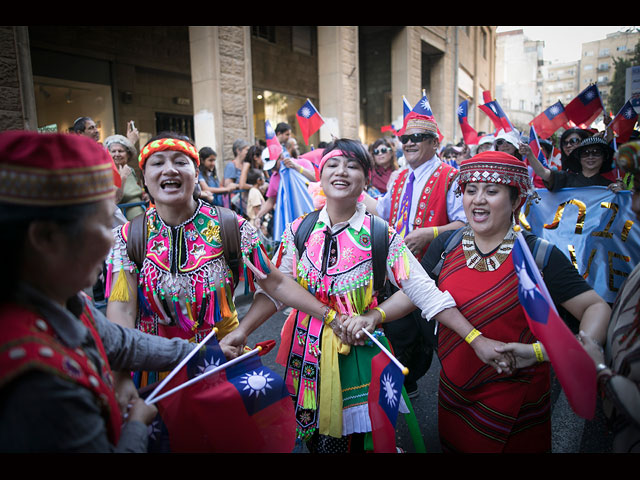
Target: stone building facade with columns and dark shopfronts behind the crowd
{"x":220,"y":83}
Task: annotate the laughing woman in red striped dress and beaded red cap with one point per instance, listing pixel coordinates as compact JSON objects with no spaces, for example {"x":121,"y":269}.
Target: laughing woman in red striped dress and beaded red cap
{"x":480,"y":410}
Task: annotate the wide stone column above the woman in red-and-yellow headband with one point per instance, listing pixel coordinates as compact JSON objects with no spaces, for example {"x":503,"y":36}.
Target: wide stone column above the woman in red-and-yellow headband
{"x":221,"y":78}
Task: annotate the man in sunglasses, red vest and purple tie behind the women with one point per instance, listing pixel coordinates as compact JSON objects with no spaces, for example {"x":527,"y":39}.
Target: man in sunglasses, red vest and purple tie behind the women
{"x":420,"y":204}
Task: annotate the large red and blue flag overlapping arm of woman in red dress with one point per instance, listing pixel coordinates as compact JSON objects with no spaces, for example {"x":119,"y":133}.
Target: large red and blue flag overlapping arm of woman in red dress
{"x":573,"y":366}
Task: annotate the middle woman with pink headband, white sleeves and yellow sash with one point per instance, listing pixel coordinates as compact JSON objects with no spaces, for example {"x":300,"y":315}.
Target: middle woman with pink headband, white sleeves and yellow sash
{"x":328,"y":369}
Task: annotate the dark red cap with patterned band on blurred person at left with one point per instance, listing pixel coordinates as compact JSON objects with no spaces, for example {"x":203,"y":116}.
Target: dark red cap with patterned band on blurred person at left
{"x":50,"y":169}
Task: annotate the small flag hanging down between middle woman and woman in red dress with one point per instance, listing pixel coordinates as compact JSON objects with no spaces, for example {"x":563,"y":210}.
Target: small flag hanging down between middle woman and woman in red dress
{"x":385,"y":393}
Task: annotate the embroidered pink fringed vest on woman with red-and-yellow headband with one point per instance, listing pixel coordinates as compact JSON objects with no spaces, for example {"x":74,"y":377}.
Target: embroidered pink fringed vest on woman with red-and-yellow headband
{"x":184,"y":278}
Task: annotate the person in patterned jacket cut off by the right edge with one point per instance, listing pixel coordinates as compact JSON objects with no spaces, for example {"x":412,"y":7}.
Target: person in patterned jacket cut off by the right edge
{"x":618,"y":364}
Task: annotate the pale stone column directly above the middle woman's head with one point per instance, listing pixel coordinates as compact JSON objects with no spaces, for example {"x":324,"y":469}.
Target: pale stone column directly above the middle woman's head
{"x":339,"y":82}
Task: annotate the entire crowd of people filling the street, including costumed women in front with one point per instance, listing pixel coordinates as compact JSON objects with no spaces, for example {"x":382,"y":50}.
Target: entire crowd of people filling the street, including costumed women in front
{"x":411,"y":241}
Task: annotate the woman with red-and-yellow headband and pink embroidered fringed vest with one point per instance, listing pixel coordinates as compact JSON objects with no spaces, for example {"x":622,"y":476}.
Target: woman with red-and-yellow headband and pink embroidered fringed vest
{"x":184,"y":283}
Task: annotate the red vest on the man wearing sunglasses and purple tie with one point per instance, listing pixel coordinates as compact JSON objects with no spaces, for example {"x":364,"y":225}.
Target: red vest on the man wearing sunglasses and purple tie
{"x":432,"y":207}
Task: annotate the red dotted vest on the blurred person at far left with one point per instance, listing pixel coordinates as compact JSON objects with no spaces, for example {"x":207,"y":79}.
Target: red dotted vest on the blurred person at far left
{"x":27,"y":342}
